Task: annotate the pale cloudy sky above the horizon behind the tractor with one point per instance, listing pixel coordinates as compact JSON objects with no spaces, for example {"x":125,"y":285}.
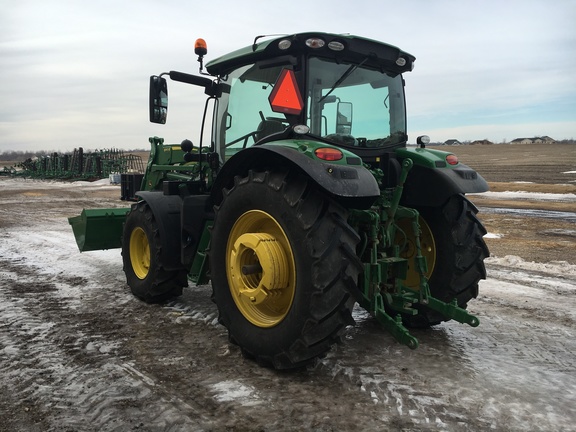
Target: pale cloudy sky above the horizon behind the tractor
{"x":75,"y":72}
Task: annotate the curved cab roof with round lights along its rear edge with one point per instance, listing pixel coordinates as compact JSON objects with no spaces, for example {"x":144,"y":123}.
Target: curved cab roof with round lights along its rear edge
{"x":342,"y":47}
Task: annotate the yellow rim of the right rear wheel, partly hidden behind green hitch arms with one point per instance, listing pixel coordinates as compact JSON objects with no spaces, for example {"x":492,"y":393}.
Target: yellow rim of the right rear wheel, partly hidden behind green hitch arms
{"x":408,"y":251}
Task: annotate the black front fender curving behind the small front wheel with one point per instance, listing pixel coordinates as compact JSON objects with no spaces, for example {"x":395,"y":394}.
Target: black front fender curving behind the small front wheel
{"x":166,"y":210}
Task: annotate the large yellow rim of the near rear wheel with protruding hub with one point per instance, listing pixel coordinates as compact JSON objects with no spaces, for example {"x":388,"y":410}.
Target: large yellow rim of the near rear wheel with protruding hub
{"x":260,"y":268}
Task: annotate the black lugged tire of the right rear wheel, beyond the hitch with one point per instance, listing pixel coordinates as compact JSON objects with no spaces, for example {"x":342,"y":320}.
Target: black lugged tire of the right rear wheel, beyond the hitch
{"x":459,"y":253}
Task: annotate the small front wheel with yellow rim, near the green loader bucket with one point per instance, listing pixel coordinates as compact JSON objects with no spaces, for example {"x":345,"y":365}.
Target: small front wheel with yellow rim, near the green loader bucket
{"x":145,"y":272}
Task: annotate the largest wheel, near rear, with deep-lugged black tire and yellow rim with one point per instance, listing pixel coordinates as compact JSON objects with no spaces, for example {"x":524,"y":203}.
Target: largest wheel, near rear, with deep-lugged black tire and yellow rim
{"x":321,"y":264}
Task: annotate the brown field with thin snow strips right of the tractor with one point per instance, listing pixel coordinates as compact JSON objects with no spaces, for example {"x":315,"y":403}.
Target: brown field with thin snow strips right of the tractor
{"x":529,"y":168}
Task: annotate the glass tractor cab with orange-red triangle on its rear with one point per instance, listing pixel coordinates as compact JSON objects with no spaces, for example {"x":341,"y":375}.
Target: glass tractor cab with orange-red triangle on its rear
{"x":341,"y":90}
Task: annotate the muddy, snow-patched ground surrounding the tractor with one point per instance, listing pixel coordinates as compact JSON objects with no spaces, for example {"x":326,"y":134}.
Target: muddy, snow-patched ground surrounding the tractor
{"x":79,"y":353}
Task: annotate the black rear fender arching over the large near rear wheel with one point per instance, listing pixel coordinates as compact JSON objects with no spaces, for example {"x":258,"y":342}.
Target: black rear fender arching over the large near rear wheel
{"x":353,"y":186}
